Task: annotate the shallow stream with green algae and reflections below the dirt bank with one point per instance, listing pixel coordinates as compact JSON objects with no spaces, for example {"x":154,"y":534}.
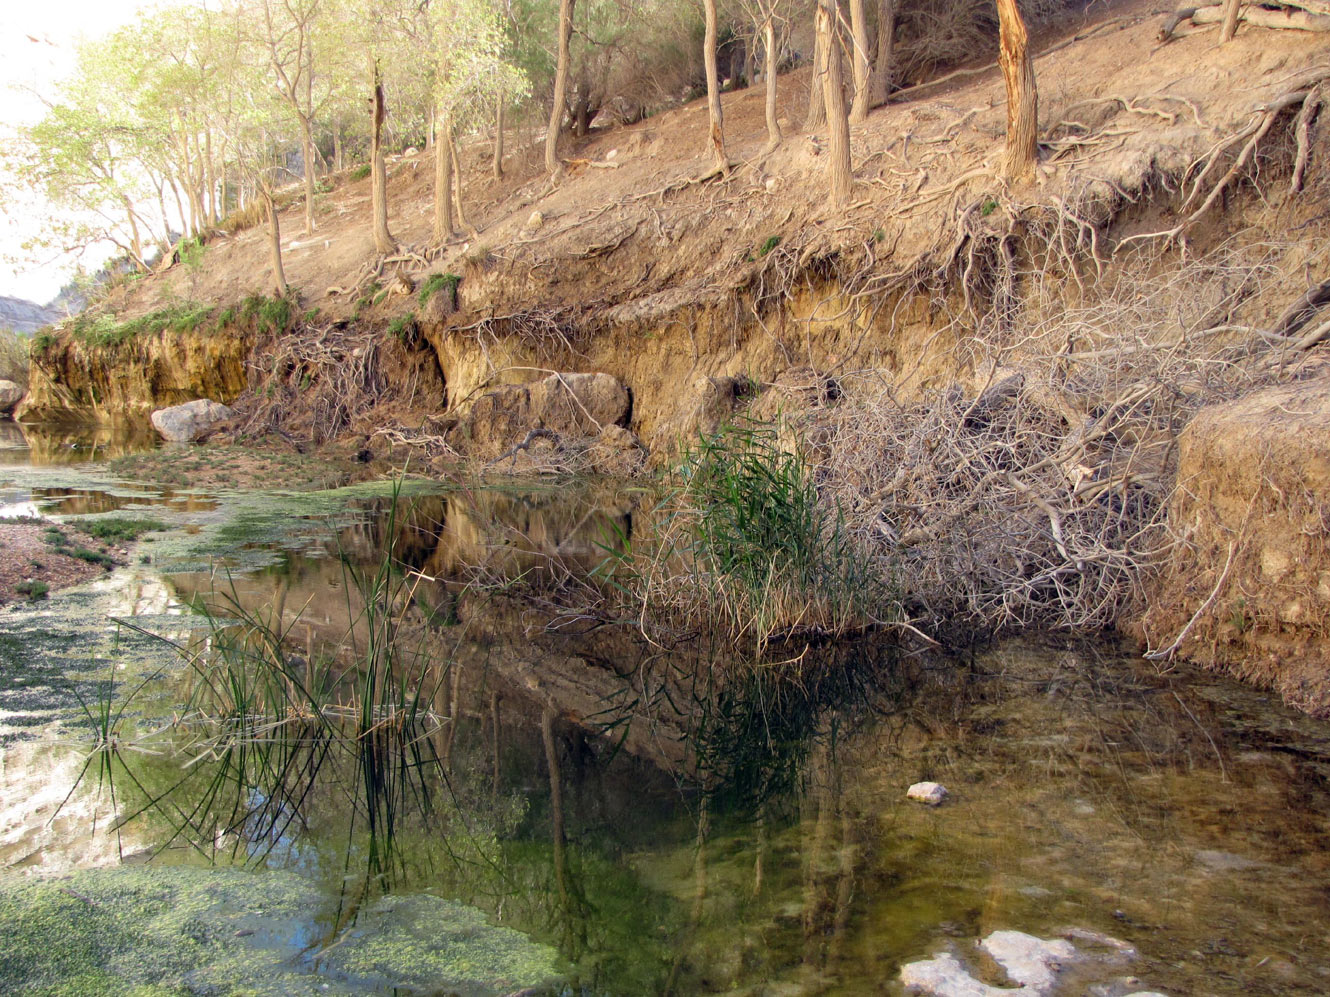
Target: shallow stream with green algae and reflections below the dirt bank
{"x":585,"y":813}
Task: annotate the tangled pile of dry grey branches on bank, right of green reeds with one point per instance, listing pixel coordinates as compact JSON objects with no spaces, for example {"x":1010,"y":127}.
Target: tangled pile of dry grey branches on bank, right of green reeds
{"x":1042,"y":499}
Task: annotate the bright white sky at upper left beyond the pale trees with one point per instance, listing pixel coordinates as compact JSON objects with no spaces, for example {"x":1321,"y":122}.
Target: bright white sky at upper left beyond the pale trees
{"x":38,"y":43}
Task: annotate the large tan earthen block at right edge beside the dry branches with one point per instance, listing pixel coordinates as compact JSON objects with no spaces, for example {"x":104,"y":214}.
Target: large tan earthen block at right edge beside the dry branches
{"x":1250,"y":590}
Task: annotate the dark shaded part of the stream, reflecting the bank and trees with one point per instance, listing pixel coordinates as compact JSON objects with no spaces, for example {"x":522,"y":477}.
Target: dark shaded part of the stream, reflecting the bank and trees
{"x":676,"y":821}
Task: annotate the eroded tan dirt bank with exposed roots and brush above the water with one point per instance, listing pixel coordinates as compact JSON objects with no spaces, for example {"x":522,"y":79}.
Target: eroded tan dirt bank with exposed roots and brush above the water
{"x":994,"y":382}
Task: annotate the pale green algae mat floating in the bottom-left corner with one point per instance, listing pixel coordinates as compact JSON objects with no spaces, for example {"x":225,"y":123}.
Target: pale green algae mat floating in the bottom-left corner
{"x":155,"y":931}
